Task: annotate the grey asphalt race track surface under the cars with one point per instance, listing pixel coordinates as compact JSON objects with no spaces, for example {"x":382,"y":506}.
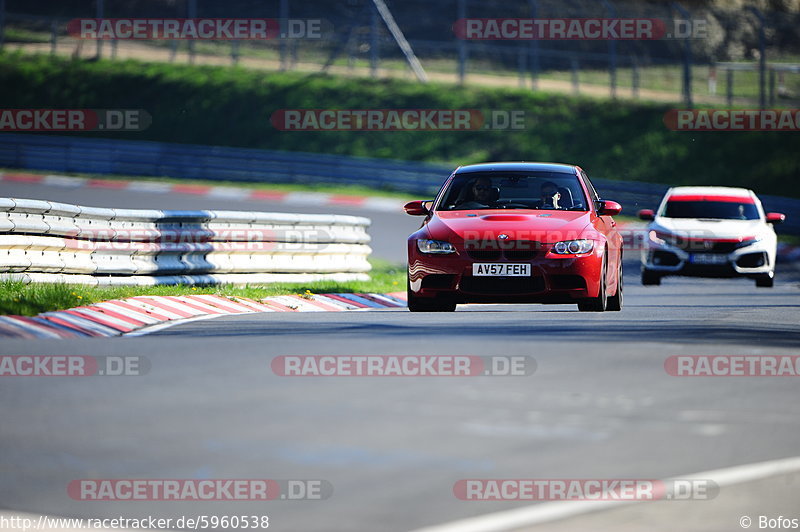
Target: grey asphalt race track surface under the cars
{"x":600,"y":404}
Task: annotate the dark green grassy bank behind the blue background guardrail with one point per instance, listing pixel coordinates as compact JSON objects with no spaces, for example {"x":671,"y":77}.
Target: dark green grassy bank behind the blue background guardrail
{"x":231,"y":106}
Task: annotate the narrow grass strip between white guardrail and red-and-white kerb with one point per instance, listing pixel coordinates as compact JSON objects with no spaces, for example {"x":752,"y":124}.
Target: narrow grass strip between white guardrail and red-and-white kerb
{"x":31,"y":299}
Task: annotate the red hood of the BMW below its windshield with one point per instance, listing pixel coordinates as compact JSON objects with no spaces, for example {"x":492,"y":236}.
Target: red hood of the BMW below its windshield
{"x":542,"y":226}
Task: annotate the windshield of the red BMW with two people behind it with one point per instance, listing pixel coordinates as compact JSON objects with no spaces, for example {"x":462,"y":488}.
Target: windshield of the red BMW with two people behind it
{"x":513,"y":190}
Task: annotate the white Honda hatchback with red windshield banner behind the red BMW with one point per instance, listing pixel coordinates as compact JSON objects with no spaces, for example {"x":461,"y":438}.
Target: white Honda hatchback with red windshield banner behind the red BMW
{"x":710,"y":232}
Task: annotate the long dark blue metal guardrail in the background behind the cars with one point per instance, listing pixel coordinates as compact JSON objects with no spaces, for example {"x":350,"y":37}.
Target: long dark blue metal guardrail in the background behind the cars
{"x":145,"y":158}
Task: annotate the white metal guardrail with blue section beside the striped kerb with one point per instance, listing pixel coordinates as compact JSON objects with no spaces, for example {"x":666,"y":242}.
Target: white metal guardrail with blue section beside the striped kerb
{"x":49,"y":241}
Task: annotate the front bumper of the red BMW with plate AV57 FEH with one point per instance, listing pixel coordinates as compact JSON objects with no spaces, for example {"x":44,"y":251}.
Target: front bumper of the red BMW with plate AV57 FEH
{"x":553,"y":279}
